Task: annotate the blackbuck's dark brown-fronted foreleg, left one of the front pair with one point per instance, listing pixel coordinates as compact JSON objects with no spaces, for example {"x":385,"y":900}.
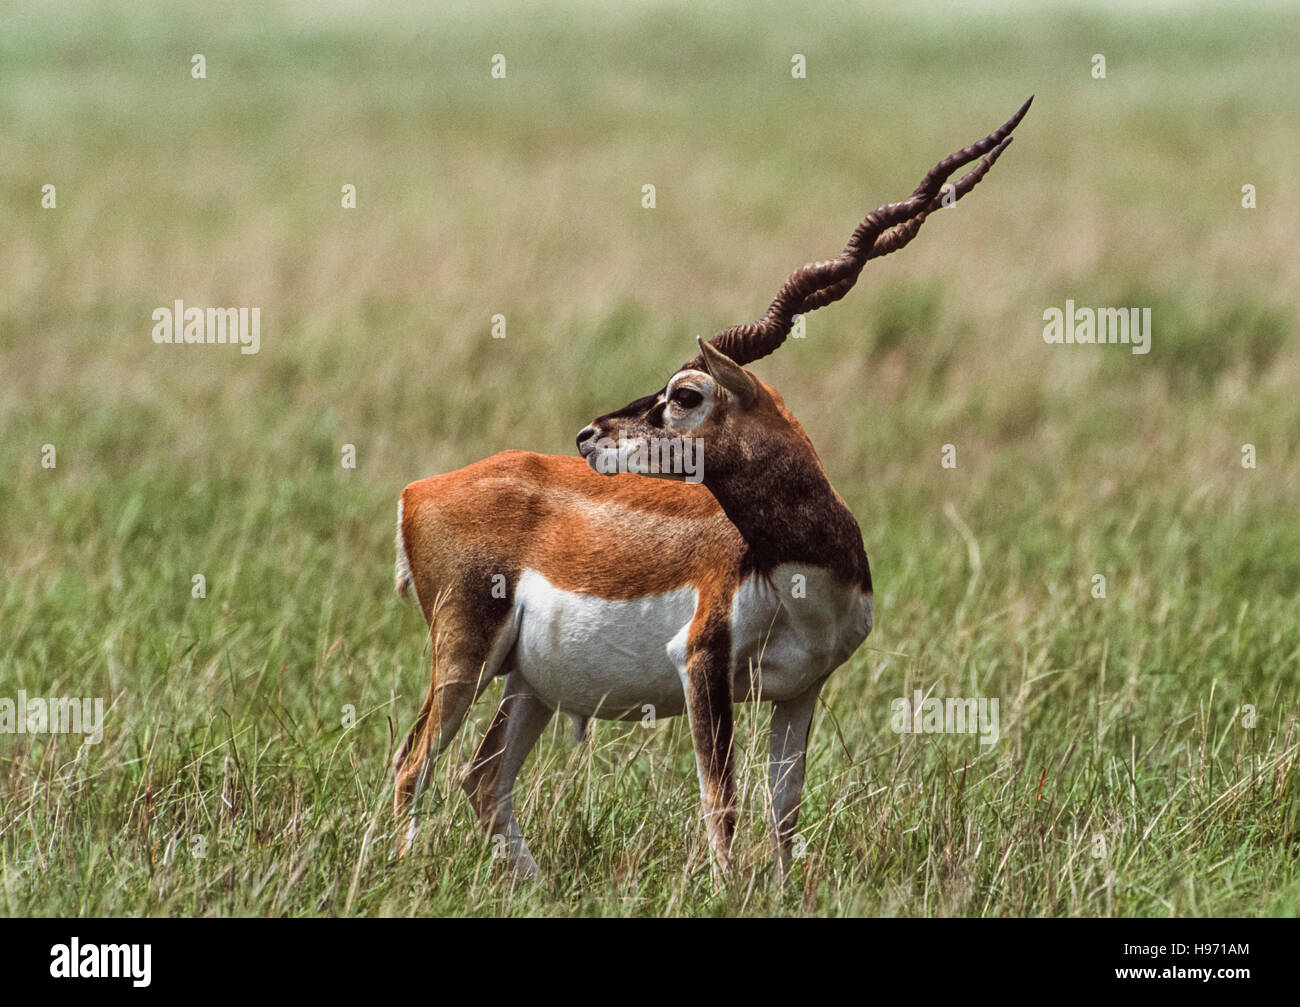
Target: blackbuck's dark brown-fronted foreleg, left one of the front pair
{"x":709,"y":704}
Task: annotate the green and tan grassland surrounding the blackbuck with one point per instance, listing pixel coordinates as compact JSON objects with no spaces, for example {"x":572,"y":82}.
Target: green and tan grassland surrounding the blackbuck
{"x":1121,"y":732}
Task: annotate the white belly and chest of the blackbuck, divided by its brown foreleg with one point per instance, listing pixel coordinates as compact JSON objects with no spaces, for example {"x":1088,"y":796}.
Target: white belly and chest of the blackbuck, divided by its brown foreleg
{"x":610,"y":659}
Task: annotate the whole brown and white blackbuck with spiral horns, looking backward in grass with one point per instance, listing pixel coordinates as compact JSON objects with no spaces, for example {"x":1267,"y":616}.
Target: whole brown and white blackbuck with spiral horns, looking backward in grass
{"x":601,"y":593}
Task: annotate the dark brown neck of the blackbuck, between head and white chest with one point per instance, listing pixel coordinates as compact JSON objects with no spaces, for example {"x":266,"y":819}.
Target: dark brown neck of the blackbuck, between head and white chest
{"x":790,"y":514}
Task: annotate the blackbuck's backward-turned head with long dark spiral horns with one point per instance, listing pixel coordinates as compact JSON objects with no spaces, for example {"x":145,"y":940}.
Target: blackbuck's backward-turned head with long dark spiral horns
{"x":713,"y":405}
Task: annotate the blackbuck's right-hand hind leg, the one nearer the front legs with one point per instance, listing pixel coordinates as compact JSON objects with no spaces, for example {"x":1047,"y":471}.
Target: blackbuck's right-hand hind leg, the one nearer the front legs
{"x":491,"y":780}
